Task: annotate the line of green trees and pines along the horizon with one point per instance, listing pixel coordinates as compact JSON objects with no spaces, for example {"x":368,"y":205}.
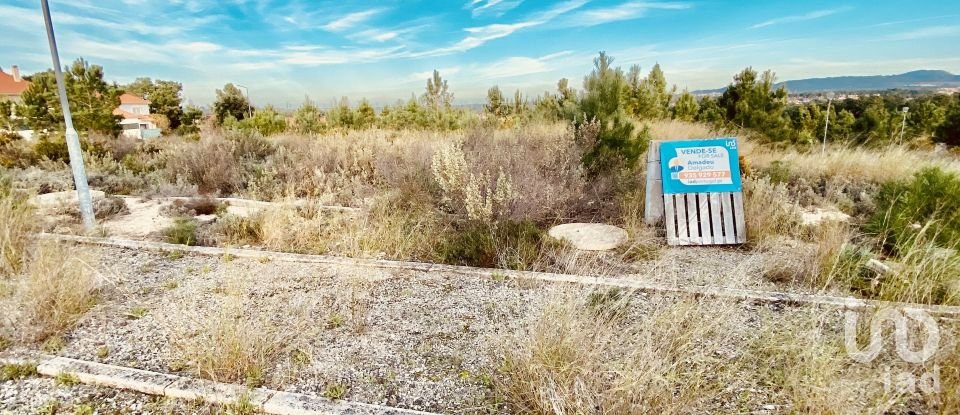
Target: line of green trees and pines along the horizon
{"x":610,"y":97}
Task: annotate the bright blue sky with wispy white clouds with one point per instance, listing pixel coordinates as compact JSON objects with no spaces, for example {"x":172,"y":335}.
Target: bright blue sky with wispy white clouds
{"x":384,"y":51}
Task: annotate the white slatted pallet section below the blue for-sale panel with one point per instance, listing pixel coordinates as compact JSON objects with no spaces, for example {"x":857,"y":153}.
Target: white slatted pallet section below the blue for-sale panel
{"x":704,"y":218}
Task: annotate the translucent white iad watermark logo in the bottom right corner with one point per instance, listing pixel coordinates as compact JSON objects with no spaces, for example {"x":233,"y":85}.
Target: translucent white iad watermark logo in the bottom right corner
{"x":901,"y":382}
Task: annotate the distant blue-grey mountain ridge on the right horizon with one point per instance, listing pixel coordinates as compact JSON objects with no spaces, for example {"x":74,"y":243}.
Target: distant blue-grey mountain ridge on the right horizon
{"x":913,"y":80}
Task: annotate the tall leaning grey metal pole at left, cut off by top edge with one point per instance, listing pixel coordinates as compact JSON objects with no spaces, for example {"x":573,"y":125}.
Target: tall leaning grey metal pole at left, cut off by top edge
{"x":73,"y":139}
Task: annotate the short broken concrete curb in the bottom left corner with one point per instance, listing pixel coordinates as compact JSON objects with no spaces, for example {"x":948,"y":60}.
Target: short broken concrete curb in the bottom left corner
{"x":162,"y":384}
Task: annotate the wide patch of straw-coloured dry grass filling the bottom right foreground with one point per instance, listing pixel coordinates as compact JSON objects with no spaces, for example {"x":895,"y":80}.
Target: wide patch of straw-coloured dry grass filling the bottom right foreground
{"x":693,"y":356}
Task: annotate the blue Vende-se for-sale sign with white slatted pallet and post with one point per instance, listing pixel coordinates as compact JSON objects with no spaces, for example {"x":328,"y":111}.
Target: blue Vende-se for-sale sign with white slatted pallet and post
{"x":701,"y":191}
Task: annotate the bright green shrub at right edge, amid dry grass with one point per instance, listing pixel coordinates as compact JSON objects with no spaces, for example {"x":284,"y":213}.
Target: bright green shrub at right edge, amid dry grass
{"x":905,"y":208}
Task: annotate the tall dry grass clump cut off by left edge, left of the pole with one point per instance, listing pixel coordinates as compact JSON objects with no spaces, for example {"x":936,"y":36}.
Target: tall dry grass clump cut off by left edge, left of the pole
{"x":17,"y":222}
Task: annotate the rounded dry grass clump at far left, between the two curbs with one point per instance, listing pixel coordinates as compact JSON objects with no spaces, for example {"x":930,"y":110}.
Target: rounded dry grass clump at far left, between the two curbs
{"x":56,"y":289}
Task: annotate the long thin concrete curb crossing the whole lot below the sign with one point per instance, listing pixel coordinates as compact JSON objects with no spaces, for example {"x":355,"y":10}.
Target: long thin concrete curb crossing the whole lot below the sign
{"x":848,"y":303}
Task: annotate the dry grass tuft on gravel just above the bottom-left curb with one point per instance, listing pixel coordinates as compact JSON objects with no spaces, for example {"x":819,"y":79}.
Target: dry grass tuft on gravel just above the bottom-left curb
{"x":230,"y":343}
